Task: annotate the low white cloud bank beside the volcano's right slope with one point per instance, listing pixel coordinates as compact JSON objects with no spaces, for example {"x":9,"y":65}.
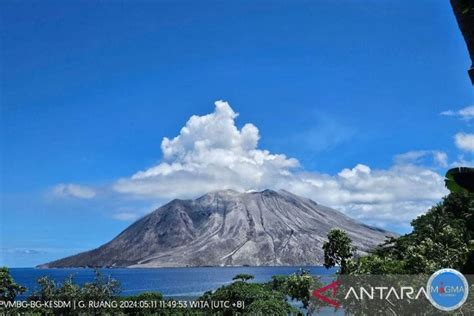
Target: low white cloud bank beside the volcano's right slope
{"x":380,"y":197}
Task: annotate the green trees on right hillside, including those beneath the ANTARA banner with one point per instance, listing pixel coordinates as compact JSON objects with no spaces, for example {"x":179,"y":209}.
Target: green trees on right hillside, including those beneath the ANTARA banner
{"x":441,"y":238}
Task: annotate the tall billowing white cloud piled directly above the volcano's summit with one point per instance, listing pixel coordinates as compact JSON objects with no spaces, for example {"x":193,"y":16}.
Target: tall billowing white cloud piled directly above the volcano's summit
{"x":210,"y":153}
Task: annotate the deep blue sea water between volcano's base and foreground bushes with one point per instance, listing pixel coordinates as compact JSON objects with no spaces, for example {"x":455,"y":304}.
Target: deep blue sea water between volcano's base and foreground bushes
{"x":171,"y":282}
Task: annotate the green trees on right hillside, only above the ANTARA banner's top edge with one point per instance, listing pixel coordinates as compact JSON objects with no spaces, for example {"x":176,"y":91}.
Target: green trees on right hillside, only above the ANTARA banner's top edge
{"x":441,"y":238}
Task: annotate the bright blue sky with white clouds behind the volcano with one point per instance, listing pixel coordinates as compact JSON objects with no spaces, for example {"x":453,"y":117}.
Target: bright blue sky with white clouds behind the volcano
{"x":89,"y":90}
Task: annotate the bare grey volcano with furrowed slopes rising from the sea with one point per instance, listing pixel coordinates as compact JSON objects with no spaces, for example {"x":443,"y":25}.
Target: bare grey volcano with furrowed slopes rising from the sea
{"x":227,"y":228}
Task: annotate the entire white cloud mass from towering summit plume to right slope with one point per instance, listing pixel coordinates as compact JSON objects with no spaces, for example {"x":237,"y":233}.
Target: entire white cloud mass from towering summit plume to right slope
{"x":211,"y":153}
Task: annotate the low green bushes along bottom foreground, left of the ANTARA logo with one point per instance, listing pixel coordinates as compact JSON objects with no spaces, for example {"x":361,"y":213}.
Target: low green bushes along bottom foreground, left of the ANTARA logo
{"x":269,"y":298}
